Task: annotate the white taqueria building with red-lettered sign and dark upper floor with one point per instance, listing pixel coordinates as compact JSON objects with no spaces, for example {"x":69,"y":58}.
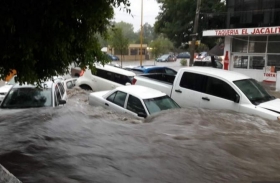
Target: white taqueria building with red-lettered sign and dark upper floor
{"x":252,"y":38}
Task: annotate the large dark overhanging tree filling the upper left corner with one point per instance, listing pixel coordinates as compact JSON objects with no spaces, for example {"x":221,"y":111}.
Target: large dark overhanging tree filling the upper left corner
{"x":40,"y":39}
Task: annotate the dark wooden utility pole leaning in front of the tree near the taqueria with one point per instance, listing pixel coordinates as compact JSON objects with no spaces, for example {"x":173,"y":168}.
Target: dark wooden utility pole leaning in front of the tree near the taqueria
{"x":195,"y":27}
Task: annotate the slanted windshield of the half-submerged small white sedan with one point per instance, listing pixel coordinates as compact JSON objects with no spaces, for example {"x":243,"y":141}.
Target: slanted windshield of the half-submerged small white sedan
{"x":155,"y":105}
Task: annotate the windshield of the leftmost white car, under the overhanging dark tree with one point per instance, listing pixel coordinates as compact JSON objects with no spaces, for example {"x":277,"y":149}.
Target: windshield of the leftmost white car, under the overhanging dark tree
{"x":27,"y":98}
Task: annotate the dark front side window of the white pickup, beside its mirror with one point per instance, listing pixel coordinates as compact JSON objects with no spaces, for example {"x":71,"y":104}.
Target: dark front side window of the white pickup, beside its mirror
{"x":219,"y":88}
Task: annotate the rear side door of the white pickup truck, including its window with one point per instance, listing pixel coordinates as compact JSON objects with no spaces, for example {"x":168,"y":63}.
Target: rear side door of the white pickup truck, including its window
{"x":187,"y":89}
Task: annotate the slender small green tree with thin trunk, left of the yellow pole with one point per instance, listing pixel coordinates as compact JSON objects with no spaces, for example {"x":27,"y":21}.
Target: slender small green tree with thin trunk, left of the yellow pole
{"x":119,"y":42}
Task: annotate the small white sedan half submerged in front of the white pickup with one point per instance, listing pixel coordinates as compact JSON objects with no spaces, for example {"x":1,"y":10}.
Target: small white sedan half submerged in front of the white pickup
{"x":139,"y":101}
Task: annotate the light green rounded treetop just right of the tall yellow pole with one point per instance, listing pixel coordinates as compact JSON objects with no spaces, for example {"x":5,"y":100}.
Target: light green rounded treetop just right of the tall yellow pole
{"x":160,"y":46}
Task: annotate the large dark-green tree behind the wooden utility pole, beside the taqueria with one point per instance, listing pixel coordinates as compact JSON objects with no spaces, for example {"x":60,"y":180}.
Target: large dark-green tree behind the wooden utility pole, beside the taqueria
{"x":176,"y":19}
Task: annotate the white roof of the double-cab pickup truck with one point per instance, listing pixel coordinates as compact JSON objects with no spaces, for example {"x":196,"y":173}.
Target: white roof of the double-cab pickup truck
{"x":220,"y":73}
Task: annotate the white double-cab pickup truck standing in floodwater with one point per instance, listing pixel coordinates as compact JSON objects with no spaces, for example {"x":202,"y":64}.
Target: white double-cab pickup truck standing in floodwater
{"x":212,"y":88}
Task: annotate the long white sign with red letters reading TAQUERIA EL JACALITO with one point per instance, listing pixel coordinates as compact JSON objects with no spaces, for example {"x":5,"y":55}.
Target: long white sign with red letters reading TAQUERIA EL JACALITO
{"x":243,"y":31}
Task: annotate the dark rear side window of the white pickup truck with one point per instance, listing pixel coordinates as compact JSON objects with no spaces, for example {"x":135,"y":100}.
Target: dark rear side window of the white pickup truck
{"x":193,"y":81}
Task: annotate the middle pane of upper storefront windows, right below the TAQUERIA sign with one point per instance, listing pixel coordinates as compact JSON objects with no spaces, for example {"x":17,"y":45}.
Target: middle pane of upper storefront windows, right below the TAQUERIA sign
{"x":257,"y":44}
